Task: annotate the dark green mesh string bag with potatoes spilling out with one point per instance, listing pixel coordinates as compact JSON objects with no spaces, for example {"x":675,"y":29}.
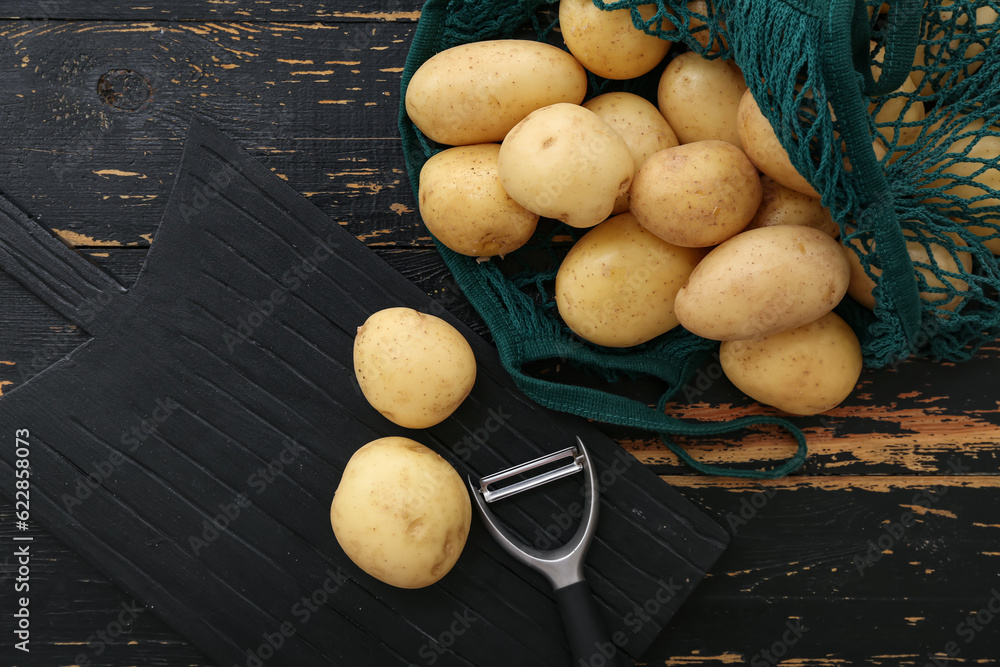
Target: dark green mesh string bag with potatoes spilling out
{"x":921,"y":218}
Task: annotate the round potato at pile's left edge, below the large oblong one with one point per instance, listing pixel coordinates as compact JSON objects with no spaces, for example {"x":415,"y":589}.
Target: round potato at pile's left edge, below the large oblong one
{"x":465,"y":207}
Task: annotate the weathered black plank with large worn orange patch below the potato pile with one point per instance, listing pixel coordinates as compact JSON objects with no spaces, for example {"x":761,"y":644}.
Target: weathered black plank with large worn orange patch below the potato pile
{"x":895,"y":422}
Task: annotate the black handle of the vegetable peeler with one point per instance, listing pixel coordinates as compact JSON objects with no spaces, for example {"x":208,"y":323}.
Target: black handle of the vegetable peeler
{"x":588,"y":637}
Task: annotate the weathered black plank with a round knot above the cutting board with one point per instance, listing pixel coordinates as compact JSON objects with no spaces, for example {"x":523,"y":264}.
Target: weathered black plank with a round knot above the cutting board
{"x":101,"y":109}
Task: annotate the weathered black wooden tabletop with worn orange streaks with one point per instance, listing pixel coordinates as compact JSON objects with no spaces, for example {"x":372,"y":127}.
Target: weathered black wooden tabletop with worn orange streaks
{"x":883,"y":550}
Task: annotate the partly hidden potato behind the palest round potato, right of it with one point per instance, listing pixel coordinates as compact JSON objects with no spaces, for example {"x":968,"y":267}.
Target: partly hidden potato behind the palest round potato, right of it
{"x":639,"y":123}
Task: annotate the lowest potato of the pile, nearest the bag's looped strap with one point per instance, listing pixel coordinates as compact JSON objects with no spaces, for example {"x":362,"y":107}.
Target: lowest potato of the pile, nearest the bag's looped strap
{"x":806,"y":370}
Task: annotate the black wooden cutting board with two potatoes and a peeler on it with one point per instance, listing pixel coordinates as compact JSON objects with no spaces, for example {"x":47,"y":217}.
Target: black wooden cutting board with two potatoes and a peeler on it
{"x":192,"y":446}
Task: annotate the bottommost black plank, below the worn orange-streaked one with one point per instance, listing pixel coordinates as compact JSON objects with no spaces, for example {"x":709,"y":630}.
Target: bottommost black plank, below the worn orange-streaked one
{"x":793,"y":558}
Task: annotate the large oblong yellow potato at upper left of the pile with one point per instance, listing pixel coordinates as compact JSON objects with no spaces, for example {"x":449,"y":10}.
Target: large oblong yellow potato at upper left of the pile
{"x":475,"y":93}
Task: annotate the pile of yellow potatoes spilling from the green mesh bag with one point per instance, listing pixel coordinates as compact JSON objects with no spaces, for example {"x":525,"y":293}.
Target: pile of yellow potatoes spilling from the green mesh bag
{"x":697,"y":216}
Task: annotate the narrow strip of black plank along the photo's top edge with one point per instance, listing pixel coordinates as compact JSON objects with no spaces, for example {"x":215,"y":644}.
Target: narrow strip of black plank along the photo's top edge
{"x":214,"y":10}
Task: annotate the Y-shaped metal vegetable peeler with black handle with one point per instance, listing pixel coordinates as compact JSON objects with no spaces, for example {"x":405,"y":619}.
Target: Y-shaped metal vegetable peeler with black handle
{"x":563,"y":566}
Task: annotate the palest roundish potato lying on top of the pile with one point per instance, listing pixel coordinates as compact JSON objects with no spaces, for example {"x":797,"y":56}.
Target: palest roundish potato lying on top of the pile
{"x":564,"y":162}
